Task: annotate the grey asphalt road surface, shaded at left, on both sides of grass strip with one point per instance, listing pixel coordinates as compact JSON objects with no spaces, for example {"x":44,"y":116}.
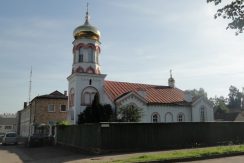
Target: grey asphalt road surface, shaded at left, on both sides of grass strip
{"x":55,"y":154}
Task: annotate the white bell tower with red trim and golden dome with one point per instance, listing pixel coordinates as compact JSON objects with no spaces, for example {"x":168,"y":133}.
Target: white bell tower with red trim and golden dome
{"x":86,"y":79}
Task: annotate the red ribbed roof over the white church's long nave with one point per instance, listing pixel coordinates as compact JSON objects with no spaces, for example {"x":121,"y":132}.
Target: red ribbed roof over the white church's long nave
{"x":153,"y":93}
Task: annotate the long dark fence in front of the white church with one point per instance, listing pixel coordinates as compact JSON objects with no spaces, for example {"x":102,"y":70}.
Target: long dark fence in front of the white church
{"x":146,"y":136}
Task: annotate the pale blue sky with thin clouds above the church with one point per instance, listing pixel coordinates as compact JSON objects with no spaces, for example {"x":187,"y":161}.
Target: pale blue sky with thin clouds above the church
{"x":141,"y":41}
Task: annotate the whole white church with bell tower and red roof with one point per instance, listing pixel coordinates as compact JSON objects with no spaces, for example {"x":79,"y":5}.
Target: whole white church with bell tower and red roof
{"x":158,"y":103}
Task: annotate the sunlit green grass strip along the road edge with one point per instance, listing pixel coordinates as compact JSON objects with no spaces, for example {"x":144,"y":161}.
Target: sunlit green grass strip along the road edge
{"x":185,"y":154}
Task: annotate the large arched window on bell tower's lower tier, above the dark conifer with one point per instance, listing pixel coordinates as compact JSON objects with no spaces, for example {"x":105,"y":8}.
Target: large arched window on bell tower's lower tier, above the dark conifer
{"x":87,"y":95}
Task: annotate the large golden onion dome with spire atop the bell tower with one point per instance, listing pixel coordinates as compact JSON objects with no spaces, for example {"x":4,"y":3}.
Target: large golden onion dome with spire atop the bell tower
{"x":87,"y":31}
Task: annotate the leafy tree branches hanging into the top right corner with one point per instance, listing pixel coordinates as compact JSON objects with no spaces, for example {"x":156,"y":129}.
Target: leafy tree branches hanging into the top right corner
{"x":234,"y":11}
